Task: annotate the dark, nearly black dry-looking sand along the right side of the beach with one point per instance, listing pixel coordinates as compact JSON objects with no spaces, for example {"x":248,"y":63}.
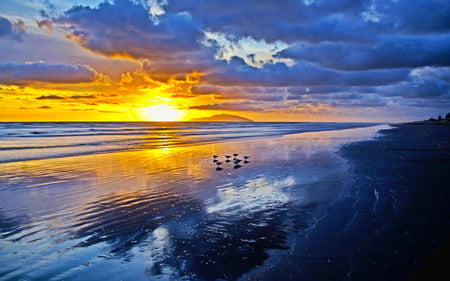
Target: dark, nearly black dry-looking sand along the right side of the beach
{"x":393,"y":225}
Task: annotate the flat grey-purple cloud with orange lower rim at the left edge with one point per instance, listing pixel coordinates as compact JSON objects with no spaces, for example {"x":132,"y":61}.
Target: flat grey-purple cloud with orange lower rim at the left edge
{"x":26,"y":73}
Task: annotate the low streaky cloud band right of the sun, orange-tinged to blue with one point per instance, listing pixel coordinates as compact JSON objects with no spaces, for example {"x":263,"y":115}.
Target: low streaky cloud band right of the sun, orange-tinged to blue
{"x":421,"y":83}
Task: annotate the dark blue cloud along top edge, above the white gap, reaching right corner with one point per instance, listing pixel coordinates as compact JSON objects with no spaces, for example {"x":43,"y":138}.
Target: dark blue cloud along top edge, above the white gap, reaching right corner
{"x":324,"y":20}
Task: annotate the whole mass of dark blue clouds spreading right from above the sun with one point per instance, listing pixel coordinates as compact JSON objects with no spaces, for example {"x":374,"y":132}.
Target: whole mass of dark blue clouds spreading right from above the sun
{"x":343,"y":53}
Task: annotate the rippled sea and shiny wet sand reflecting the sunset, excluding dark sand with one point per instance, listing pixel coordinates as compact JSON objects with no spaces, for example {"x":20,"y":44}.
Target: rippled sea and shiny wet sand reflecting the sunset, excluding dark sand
{"x":148,"y":201}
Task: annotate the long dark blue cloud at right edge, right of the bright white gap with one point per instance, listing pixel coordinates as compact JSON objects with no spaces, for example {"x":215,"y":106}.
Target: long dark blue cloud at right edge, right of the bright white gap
{"x":392,"y":52}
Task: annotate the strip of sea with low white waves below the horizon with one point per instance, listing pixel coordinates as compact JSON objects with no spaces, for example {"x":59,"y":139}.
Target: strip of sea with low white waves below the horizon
{"x":31,"y":141}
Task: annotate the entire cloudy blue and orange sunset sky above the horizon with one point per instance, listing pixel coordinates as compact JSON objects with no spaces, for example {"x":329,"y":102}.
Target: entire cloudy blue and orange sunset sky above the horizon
{"x":177,"y":60}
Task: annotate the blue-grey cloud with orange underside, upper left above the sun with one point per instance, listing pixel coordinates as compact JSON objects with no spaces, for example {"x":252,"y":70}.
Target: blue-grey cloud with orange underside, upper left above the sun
{"x":166,"y":44}
